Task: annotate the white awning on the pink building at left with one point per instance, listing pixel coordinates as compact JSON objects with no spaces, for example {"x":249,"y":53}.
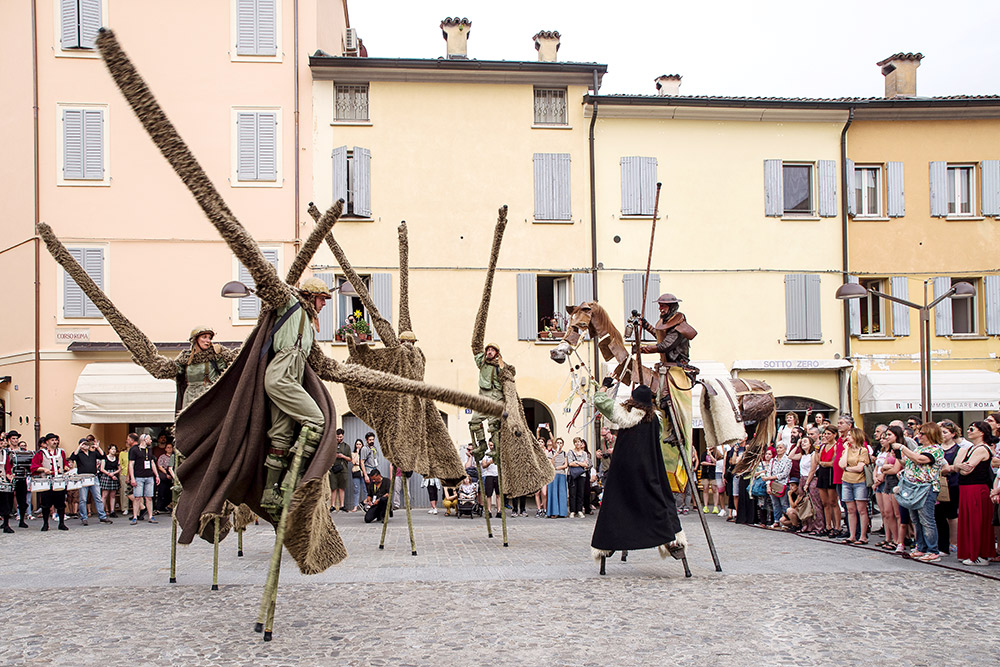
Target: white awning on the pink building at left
{"x":122,"y":393}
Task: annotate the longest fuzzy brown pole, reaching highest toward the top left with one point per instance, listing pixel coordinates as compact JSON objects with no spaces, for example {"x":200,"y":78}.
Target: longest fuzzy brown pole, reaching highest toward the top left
{"x":270,"y":288}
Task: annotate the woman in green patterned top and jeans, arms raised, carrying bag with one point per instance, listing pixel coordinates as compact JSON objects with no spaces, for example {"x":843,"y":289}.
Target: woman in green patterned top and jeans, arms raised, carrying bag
{"x":918,"y":488}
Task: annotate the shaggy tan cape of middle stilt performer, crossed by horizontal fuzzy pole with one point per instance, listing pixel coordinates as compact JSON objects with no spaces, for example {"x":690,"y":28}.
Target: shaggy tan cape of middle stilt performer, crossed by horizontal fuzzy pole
{"x":410,"y":429}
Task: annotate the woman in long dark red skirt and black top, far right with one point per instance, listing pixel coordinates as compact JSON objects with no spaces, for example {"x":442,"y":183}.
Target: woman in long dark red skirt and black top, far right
{"x":975,"y":511}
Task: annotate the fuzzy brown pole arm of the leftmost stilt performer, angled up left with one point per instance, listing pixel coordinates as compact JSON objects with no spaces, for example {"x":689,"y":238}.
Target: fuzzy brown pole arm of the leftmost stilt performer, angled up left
{"x":143,"y":351}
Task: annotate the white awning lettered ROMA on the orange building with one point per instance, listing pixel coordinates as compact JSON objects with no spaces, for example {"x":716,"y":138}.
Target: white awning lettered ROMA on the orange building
{"x":899,"y":391}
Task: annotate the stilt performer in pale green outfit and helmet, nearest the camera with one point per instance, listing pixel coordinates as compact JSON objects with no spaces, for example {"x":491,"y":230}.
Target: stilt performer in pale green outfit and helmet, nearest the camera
{"x":292,"y":337}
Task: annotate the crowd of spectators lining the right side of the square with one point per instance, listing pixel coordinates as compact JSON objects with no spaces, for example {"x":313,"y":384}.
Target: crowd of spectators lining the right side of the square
{"x":933,"y":488}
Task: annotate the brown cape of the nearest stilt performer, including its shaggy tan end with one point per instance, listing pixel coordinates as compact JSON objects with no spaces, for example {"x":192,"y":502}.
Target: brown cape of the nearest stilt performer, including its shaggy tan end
{"x":223,"y":434}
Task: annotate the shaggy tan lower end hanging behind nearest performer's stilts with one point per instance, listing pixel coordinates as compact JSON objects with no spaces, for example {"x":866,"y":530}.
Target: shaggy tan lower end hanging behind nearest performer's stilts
{"x":310,"y":536}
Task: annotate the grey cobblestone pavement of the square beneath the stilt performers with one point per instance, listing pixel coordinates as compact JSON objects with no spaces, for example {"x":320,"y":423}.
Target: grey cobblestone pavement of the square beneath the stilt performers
{"x":98,"y":595}
